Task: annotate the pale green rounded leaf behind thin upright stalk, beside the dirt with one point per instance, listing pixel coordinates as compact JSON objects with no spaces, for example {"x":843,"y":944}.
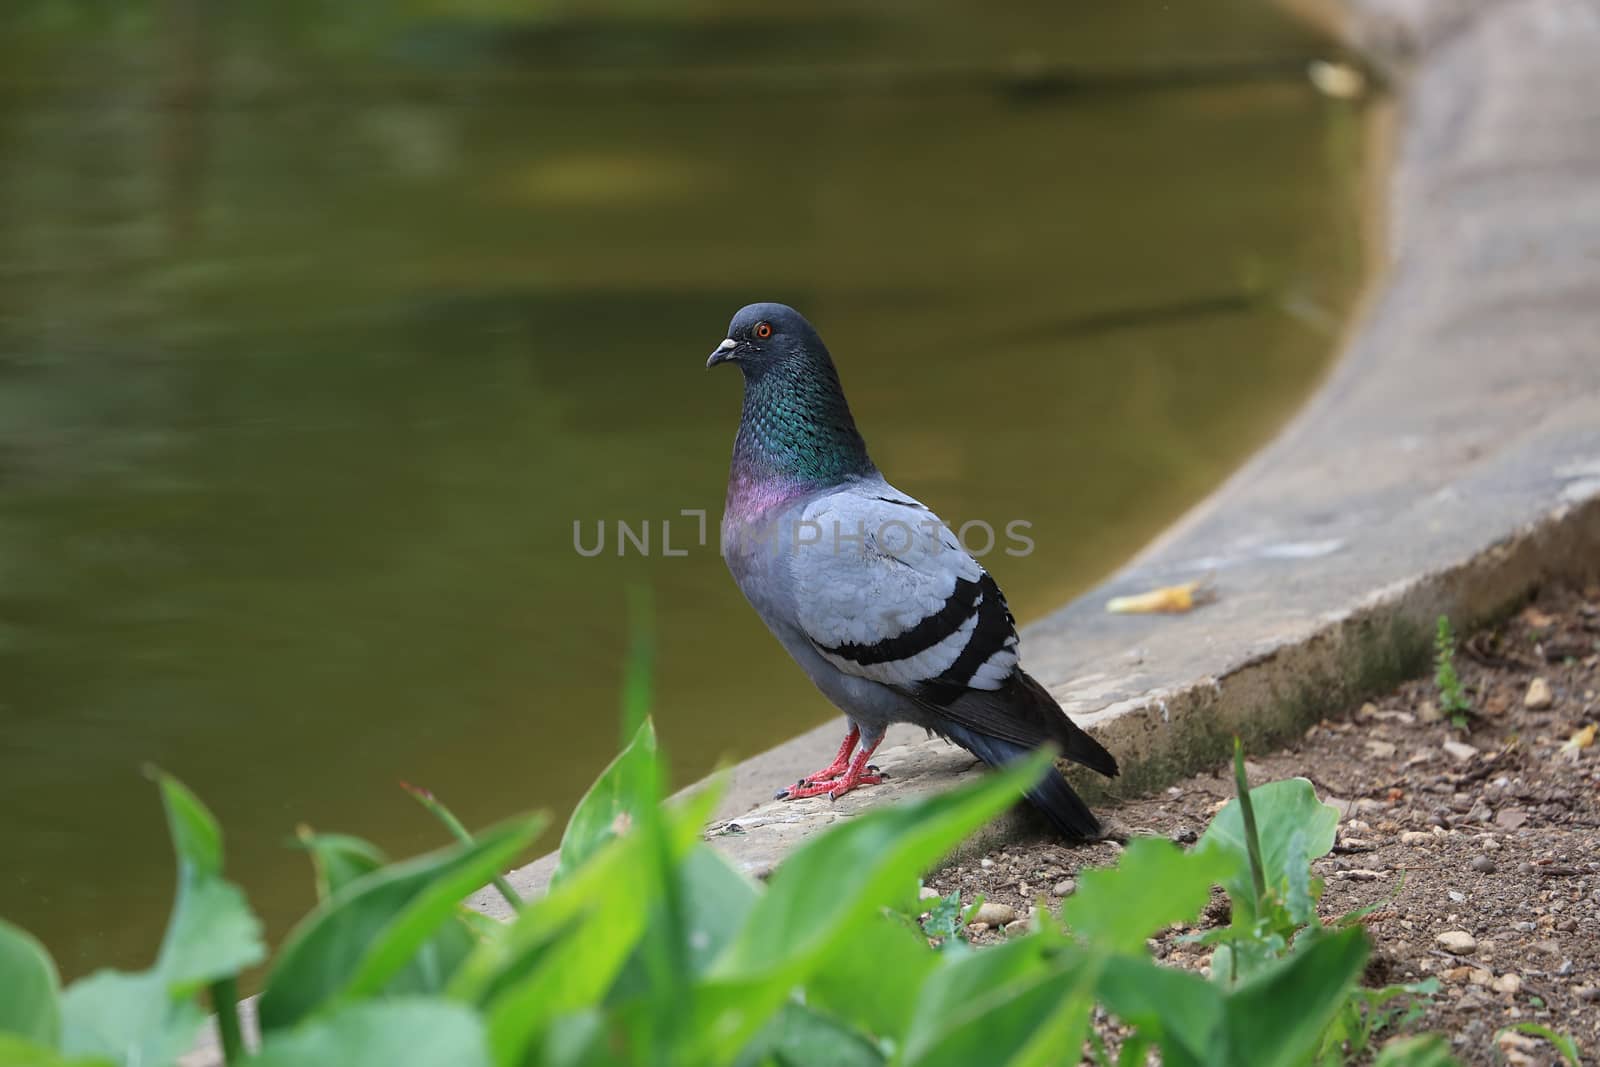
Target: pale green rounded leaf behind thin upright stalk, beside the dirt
{"x":1282,"y":810}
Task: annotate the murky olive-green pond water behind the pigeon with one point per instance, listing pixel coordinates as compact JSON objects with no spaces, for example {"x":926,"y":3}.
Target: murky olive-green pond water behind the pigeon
{"x":318,"y":337}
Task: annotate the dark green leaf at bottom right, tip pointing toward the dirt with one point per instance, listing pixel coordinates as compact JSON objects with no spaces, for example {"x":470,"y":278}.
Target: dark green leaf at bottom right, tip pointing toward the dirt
{"x":1278,"y":1017}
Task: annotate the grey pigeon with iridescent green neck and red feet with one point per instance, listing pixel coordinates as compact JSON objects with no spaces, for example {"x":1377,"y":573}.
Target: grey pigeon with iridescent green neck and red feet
{"x":866,"y":588}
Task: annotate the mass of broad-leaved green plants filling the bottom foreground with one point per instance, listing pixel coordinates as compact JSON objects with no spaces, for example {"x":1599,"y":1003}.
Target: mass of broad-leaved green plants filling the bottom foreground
{"x":650,"y":949}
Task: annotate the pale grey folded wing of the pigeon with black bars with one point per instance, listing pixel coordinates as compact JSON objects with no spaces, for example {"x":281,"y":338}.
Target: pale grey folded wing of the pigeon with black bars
{"x":886,"y":591}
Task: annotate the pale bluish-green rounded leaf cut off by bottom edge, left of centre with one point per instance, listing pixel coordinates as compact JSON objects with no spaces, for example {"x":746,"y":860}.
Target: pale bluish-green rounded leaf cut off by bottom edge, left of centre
{"x":401,"y":1033}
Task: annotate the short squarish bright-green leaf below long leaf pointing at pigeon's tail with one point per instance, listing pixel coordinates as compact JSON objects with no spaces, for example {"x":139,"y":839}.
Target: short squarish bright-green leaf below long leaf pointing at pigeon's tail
{"x":862,"y":994}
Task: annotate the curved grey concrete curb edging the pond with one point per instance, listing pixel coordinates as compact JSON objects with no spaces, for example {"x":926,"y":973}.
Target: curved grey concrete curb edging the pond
{"x":1449,"y":466}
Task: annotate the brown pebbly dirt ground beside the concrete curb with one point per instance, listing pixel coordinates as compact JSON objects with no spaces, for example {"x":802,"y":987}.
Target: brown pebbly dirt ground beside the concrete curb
{"x":1482,"y":845}
